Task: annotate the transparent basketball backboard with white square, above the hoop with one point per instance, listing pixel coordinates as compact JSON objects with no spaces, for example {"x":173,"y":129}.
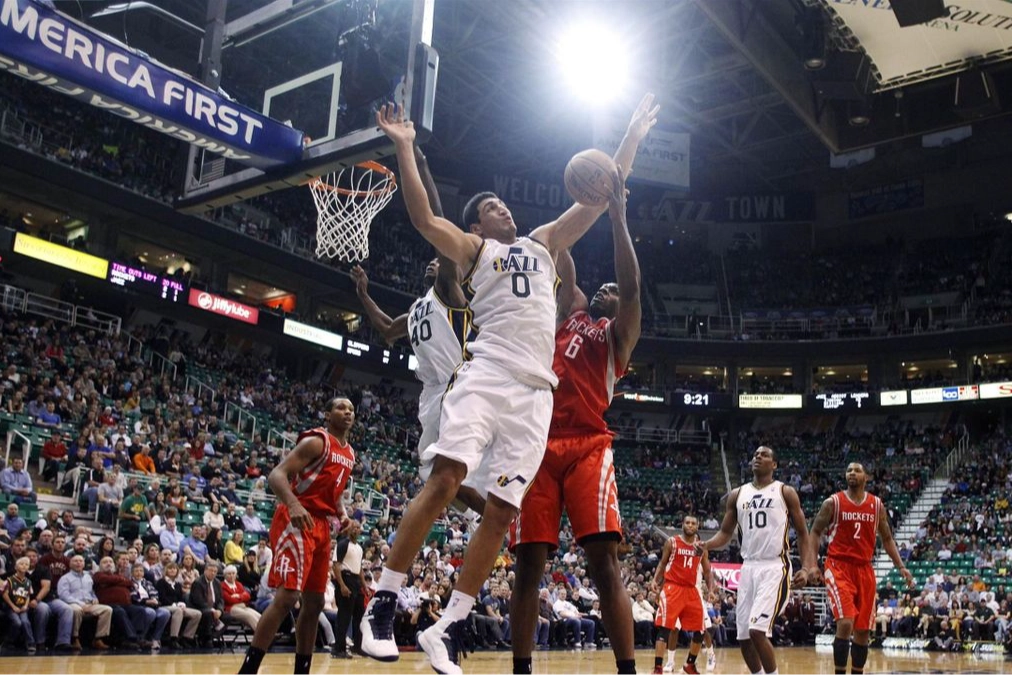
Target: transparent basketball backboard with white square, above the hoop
{"x":322,"y":66}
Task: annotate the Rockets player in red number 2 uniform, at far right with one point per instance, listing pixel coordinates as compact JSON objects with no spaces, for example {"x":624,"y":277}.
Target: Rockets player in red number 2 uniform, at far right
{"x":852,"y":520}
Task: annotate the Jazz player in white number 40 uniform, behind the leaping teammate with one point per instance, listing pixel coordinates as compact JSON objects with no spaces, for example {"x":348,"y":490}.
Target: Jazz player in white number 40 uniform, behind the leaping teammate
{"x":437,"y":325}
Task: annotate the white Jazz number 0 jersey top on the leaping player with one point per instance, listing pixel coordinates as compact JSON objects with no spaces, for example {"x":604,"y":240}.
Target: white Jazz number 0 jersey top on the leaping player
{"x":512,"y":291}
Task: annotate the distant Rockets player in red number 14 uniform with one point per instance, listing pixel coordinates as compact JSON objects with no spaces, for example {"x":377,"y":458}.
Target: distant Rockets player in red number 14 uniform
{"x":681,"y":599}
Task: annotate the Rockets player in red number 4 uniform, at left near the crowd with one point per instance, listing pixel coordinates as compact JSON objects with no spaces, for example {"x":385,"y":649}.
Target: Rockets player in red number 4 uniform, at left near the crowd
{"x":309,"y":484}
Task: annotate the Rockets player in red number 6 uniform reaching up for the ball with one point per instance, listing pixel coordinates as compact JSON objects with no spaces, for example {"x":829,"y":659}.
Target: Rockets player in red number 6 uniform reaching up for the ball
{"x":594,"y":346}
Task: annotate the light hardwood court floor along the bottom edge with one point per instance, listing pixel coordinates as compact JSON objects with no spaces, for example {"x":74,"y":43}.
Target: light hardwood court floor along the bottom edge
{"x":794,"y":661}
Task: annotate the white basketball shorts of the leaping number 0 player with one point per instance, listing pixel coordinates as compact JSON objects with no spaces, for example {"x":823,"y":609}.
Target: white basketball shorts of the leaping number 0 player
{"x":496,"y":427}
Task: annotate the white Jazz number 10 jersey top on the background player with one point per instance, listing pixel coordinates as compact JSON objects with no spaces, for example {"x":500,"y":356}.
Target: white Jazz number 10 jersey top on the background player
{"x":763,"y":523}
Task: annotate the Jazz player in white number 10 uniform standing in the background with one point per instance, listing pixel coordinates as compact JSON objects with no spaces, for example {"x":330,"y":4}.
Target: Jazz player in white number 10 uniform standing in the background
{"x":760,"y":513}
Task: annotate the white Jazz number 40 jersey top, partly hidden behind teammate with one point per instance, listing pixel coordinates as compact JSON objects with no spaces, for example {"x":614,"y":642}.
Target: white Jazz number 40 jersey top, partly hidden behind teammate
{"x":437,"y":331}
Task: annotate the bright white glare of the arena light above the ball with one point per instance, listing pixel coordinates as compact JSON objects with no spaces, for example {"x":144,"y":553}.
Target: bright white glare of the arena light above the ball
{"x":594,"y":62}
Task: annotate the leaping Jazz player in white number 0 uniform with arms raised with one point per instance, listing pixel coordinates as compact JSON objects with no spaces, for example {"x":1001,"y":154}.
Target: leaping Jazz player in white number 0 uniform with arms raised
{"x":497,"y":407}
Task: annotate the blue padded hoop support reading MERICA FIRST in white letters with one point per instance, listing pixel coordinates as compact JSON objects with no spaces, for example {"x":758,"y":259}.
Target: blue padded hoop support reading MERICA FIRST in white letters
{"x":46,"y":47}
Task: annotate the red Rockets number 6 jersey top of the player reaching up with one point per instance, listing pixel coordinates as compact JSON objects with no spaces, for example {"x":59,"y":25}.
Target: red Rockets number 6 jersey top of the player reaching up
{"x":585,"y":363}
